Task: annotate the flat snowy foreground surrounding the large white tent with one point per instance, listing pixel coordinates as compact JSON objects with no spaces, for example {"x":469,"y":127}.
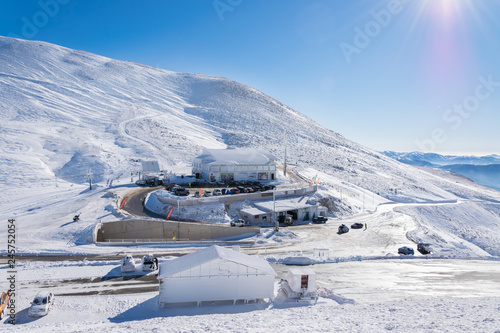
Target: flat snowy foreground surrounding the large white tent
{"x":361,"y":296}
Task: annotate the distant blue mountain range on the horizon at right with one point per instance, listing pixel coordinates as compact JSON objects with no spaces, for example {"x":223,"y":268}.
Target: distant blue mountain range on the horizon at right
{"x":484,"y":170}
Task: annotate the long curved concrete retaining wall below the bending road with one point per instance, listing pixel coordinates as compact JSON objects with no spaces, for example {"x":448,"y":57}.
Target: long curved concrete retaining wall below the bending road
{"x":167,"y":230}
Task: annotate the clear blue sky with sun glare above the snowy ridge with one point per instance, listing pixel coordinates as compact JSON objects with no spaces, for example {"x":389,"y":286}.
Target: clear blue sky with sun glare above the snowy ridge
{"x":392,"y":75}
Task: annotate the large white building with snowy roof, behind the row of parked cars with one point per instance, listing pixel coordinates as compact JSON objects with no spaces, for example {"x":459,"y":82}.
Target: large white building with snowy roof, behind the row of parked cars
{"x":241,"y":164}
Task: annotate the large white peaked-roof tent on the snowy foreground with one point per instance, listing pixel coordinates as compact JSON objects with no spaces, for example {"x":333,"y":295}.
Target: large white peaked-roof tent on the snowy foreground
{"x":215,"y":275}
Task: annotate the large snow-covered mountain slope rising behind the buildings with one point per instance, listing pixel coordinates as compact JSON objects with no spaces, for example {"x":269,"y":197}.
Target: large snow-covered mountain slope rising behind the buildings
{"x":65,"y":112}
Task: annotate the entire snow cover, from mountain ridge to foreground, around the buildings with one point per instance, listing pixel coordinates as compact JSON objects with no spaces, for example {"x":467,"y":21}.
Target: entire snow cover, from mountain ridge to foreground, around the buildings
{"x":68,"y":112}
